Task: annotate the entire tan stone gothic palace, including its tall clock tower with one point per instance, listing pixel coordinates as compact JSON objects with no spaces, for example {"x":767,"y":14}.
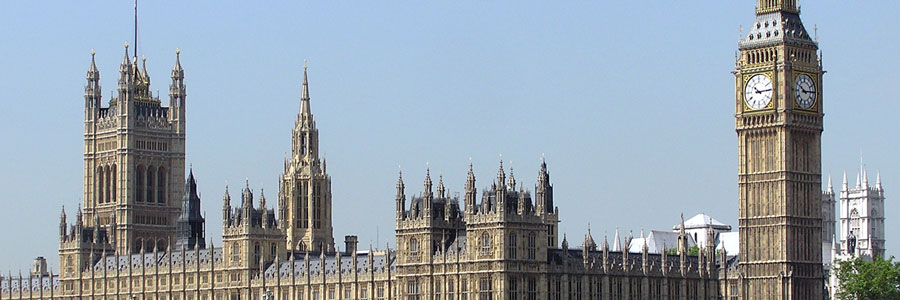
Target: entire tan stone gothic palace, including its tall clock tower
{"x":140,"y":233}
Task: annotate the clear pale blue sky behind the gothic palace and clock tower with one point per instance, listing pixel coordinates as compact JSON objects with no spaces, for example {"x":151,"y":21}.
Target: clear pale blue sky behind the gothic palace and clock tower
{"x":630,"y":102}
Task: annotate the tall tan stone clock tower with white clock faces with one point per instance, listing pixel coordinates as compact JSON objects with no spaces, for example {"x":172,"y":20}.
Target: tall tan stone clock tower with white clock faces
{"x":778,"y":119}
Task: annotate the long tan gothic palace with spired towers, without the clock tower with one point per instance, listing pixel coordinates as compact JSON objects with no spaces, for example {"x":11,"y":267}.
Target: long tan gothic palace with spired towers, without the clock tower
{"x":141,"y":235}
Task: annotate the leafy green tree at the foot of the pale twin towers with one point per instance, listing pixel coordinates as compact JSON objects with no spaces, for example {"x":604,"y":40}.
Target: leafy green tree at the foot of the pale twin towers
{"x":870,"y":280}
